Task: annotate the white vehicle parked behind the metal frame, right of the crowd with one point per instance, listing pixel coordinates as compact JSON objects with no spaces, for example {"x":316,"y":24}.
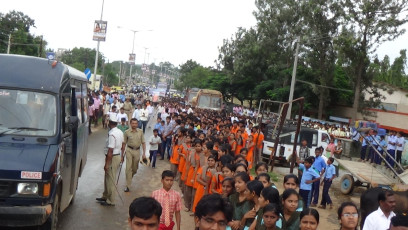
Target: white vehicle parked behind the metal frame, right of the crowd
{"x":315,"y":138}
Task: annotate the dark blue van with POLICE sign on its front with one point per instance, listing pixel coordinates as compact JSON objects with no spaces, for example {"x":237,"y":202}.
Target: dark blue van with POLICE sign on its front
{"x":43,"y":139}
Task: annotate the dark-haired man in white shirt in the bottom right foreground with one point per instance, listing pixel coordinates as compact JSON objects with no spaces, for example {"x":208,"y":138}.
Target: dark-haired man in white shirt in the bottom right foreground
{"x":381,"y":218}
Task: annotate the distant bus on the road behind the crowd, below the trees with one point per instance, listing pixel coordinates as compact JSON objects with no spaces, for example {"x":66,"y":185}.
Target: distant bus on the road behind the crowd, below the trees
{"x":208,"y":99}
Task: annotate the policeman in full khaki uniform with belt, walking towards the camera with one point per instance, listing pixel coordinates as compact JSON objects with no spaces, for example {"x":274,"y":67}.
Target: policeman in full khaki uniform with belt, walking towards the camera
{"x":133,"y":139}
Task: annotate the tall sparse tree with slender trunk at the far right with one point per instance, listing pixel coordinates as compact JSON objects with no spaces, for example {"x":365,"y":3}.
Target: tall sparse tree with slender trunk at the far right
{"x":366,"y":24}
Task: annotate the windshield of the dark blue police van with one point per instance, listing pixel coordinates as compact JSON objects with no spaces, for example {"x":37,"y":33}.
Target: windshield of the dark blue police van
{"x":27,"y":113}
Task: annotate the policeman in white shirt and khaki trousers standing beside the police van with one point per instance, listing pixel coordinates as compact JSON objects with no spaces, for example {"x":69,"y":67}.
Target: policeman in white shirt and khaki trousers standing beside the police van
{"x":114,"y":145}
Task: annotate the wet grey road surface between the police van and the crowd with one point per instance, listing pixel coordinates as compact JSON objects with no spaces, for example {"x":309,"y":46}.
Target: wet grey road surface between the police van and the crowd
{"x":86,"y":213}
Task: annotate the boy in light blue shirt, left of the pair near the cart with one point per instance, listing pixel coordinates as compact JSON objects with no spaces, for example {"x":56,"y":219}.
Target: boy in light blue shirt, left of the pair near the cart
{"x":308,"y":178}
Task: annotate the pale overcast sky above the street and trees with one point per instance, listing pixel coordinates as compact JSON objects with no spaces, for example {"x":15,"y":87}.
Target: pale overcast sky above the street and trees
{"x":182,"y":29}
